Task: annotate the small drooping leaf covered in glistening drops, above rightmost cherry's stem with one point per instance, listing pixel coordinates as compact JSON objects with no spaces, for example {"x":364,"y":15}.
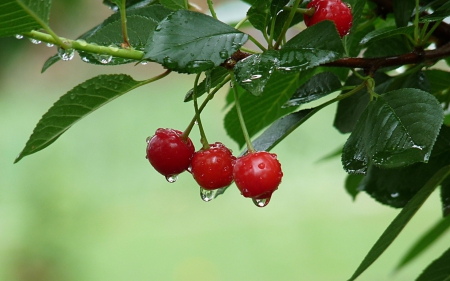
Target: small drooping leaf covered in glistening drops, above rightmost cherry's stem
{"x":253,"y":72}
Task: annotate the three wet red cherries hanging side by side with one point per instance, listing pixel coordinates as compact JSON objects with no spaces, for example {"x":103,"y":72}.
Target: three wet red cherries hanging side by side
{"x":256,"y":174}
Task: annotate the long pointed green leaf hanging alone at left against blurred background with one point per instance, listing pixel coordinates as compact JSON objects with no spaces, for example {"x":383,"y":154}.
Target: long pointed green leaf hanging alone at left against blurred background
{"x":74,"y":105}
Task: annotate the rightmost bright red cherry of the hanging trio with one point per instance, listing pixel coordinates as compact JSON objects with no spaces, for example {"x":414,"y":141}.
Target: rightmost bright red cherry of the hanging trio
{"x":257,"y":175}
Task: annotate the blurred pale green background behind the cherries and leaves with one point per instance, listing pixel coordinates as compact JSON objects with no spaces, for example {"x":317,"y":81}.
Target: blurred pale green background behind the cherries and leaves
{"x":90,"y":206}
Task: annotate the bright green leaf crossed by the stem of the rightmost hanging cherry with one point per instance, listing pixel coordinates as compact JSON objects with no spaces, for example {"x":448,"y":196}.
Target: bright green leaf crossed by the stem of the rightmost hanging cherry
{"x":261,"y":111}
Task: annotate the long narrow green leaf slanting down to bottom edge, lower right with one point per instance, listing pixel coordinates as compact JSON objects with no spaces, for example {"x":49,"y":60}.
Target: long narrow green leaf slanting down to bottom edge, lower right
{"x":397,"y":225}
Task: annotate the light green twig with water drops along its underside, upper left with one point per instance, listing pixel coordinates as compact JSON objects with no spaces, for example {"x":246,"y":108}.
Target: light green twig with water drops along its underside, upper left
{"x":84,"y":46}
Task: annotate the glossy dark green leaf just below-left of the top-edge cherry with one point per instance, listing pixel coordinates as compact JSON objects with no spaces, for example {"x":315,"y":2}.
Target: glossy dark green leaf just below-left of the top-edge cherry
{"x":318,"y":44}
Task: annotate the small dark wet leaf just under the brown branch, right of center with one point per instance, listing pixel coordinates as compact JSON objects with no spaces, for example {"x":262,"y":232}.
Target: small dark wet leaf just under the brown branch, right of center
{"x":317,"y":87}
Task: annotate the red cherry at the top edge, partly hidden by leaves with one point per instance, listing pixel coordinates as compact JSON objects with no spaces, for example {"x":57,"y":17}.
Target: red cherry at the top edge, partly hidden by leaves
{"x":334,"y":10}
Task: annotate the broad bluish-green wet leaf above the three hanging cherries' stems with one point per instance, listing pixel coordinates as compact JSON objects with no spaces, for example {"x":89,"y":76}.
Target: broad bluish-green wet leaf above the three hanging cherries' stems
{"x":191,"y":42}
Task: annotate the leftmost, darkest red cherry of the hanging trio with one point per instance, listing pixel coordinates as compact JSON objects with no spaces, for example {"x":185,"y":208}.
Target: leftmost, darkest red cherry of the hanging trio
{"x":168,"y":153}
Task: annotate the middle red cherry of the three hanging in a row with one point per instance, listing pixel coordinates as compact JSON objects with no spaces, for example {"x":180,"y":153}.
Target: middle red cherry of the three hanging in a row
{"x":213,"y":168}
